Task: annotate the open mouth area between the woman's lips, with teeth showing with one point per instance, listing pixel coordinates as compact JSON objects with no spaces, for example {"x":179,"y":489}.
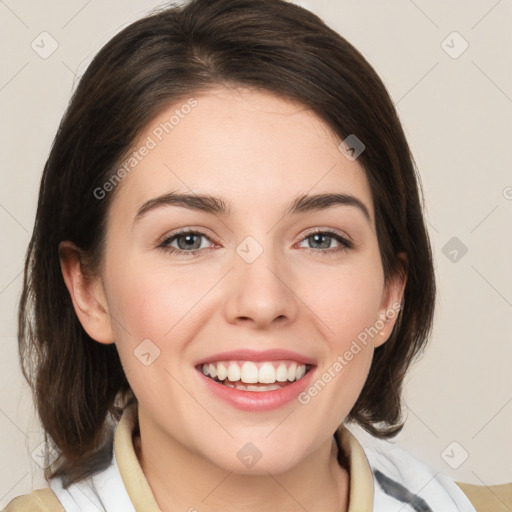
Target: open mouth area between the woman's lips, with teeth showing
{"x":255,"y":376}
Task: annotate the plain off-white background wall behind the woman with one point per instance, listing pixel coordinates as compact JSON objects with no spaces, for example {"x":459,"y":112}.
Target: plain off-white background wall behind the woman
{"x":456,"y":107}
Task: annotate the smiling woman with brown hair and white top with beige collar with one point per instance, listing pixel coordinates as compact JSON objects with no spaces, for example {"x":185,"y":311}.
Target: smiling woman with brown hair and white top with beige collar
{"x":230,"y":258}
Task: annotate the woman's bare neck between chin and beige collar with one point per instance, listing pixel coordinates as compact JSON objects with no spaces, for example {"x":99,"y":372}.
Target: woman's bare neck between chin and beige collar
{"x":184,"y":480}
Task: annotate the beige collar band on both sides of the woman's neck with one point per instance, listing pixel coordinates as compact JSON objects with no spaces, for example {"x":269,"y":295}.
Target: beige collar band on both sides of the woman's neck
{"x":139,"y":491}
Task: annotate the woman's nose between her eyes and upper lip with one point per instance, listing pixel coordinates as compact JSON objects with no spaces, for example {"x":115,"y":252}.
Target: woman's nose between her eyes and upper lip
{"x":261,"y":293}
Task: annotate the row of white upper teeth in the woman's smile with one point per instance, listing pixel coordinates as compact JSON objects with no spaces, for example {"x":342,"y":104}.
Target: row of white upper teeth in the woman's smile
{"x":250,"y":373}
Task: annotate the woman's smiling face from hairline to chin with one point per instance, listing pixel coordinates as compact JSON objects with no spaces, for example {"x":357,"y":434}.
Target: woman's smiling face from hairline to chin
{"x":267,"y":283}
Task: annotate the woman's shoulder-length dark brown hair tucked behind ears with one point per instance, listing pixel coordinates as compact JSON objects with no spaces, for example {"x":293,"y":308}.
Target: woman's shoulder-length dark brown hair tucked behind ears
{"x":271,"y":45}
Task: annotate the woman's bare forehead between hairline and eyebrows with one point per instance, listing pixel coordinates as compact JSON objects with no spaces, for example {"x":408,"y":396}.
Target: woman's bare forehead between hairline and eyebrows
{"x":256,"y":149}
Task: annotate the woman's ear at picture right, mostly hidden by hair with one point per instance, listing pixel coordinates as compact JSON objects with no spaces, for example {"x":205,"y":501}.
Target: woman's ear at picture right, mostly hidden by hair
{"x":390,"y":304}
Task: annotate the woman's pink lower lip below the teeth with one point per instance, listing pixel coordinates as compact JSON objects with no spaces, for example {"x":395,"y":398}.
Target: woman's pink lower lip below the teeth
{"x":258,"y":400}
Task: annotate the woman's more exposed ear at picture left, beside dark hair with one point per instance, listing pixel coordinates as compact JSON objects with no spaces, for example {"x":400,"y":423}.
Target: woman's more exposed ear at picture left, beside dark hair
{"x":87,"y":294}
